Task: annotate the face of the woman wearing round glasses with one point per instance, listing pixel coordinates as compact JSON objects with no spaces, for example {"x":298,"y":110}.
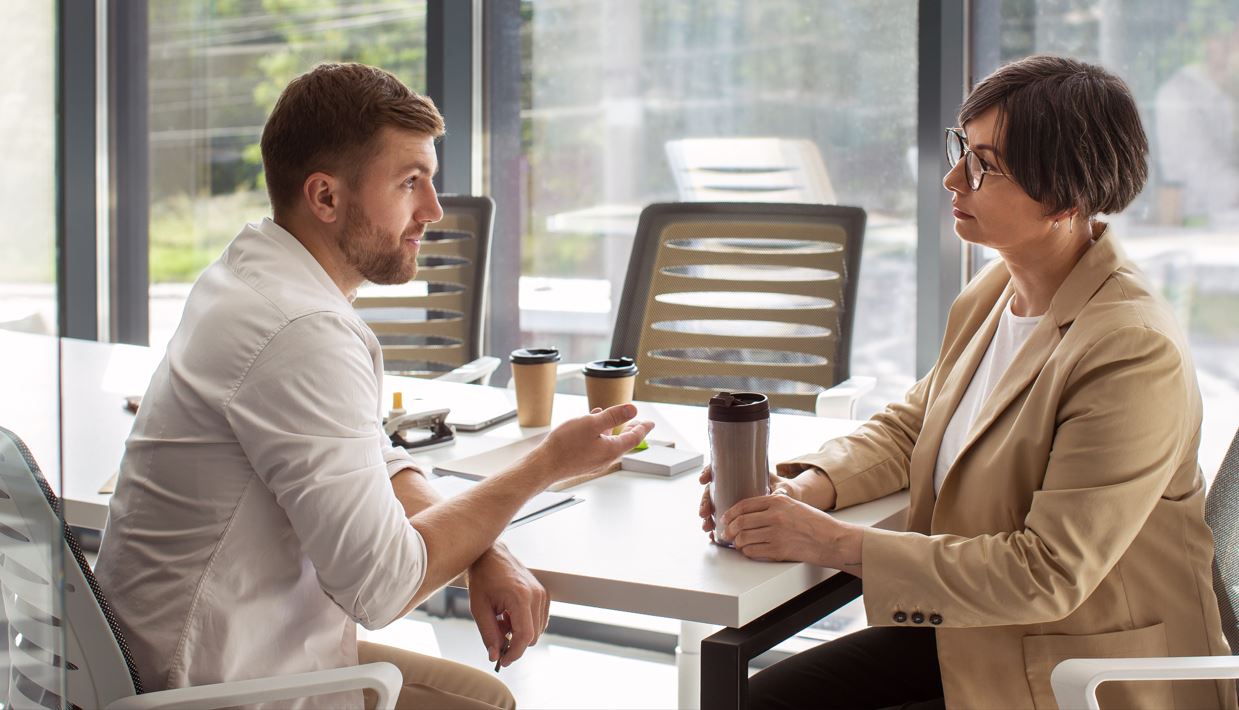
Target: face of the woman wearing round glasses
{"x":1000,"y":215}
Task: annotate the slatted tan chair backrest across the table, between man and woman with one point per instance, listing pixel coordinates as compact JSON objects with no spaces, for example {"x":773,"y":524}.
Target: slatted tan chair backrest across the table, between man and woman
{"x":748,"y":297}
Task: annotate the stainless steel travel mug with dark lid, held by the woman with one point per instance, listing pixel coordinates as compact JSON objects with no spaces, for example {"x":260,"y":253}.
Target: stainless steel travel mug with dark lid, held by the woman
{"x":740,"y":427}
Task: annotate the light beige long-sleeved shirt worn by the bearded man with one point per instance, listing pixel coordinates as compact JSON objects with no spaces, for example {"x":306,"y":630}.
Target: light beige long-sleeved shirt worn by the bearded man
{"x":253,"y":522}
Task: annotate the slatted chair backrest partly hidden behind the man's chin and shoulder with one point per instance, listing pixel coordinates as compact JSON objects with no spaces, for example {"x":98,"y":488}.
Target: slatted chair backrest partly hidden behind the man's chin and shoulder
{"x":434,"y":324}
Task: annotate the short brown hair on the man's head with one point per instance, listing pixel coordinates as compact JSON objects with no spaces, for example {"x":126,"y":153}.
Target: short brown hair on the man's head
{"x":328,"y":121}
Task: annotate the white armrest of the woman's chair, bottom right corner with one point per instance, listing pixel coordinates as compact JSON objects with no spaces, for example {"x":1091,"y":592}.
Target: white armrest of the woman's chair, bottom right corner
{"x":1076,"y":680}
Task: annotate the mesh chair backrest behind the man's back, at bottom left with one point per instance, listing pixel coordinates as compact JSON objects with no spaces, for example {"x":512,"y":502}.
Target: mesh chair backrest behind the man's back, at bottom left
{"x":53,"y":646}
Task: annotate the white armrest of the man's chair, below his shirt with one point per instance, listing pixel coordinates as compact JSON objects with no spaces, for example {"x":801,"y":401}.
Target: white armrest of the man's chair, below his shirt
{"x":382,"y":677}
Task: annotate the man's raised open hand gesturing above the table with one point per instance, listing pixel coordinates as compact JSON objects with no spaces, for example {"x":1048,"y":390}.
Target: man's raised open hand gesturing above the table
{"x":585,"y":444}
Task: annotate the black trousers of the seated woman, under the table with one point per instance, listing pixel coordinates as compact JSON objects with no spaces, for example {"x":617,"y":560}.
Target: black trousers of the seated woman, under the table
{"x":879,"y":667}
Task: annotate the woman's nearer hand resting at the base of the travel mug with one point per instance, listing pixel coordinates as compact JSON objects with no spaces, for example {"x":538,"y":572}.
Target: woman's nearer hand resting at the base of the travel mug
{"x":785,"y":530}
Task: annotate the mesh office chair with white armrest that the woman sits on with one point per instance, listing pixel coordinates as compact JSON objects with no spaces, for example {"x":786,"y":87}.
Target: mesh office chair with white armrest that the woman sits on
{"x":1076,"y":681}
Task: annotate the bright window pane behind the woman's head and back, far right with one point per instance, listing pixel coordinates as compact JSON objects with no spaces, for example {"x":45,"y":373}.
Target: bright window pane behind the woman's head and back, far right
{"x":1180,"y":60}
